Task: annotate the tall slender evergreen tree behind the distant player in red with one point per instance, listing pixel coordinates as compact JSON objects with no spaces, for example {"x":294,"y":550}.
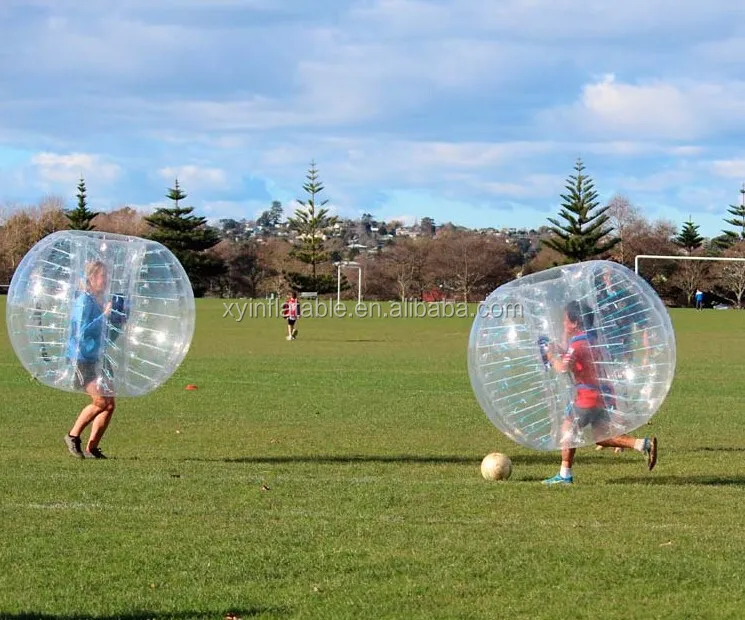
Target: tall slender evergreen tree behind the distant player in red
{"x":311,"y":221}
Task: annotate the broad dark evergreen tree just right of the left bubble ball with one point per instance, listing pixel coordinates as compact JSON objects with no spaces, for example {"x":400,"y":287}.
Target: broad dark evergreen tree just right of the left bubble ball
{"x":188,"y":237}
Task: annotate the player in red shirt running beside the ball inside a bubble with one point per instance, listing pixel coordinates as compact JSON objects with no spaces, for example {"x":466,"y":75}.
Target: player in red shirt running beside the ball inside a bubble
{"x":589,"y":405}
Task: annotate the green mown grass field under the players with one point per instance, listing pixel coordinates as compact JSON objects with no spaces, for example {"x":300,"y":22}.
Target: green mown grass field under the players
{"x":337,"y":476}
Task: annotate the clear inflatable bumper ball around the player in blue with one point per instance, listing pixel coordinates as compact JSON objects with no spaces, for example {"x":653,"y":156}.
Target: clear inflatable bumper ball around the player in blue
{"x":99,"y":310}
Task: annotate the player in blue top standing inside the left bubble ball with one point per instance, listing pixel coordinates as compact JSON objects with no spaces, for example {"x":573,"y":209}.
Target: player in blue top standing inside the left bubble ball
{"x":85,"y":353}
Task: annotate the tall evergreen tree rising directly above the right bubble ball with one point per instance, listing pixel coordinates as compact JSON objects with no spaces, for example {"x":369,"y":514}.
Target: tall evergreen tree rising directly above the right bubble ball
{"x":585,"y":231}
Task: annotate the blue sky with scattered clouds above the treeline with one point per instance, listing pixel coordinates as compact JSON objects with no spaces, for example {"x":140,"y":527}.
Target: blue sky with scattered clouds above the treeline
{"x":470,"y":111}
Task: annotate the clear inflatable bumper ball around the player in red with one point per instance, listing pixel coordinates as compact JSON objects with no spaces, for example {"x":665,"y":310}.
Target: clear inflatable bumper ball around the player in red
{"x":628,"y":338}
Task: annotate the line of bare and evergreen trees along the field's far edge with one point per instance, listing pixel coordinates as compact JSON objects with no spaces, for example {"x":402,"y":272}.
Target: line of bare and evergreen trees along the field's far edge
{"x":452,"y":262}
